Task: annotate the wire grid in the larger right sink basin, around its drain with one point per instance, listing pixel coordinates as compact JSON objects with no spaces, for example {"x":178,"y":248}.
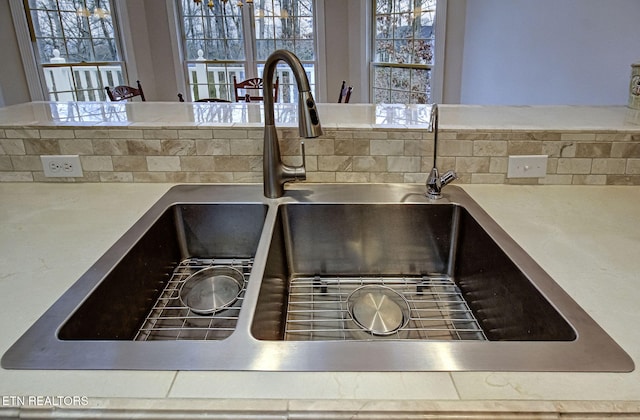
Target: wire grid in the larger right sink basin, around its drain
{"x":318,"y":309}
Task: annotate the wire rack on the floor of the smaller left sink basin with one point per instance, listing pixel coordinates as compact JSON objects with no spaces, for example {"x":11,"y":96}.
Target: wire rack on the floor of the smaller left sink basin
{"x":169,"y":319}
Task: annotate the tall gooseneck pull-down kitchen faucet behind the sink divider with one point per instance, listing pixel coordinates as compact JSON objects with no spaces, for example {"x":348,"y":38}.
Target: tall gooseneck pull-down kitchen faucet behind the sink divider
{"x":275,"y":172}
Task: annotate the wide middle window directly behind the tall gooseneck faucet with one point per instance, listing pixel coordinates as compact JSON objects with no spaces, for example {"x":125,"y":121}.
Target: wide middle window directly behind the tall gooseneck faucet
{"x":223,"y":39}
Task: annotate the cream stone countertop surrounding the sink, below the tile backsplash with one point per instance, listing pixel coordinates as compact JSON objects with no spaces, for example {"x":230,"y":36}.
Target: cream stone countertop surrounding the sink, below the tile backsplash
{"x":587,"y":238}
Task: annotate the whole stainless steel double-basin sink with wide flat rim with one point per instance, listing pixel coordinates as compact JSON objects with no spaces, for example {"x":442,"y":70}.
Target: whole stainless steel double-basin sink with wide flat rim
{"x":474,"y":299}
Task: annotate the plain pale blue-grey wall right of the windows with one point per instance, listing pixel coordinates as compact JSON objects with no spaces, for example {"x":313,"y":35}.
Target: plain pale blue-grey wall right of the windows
{"x":549,"y":52}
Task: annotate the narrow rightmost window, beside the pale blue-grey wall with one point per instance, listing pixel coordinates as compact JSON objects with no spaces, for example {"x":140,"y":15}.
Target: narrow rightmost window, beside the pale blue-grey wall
{"x":403,"y":48}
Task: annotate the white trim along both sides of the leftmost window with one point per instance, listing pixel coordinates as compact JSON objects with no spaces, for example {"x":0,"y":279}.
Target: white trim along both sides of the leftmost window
{"x":33,"y":71}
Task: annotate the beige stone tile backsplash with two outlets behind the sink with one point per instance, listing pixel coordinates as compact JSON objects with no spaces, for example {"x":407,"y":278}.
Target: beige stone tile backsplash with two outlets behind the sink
{"x":229,"y":154}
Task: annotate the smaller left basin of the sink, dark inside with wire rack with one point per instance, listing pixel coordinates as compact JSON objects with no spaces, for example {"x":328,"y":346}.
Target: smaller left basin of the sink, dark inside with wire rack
{"x":139,"y":298}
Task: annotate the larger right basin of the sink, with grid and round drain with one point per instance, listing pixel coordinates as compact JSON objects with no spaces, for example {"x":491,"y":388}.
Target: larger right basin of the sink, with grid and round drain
{"x":431,"y":272}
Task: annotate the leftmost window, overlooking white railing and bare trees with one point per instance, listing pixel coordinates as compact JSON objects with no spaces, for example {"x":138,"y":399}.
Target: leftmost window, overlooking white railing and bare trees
{"x":76,"y":46}
